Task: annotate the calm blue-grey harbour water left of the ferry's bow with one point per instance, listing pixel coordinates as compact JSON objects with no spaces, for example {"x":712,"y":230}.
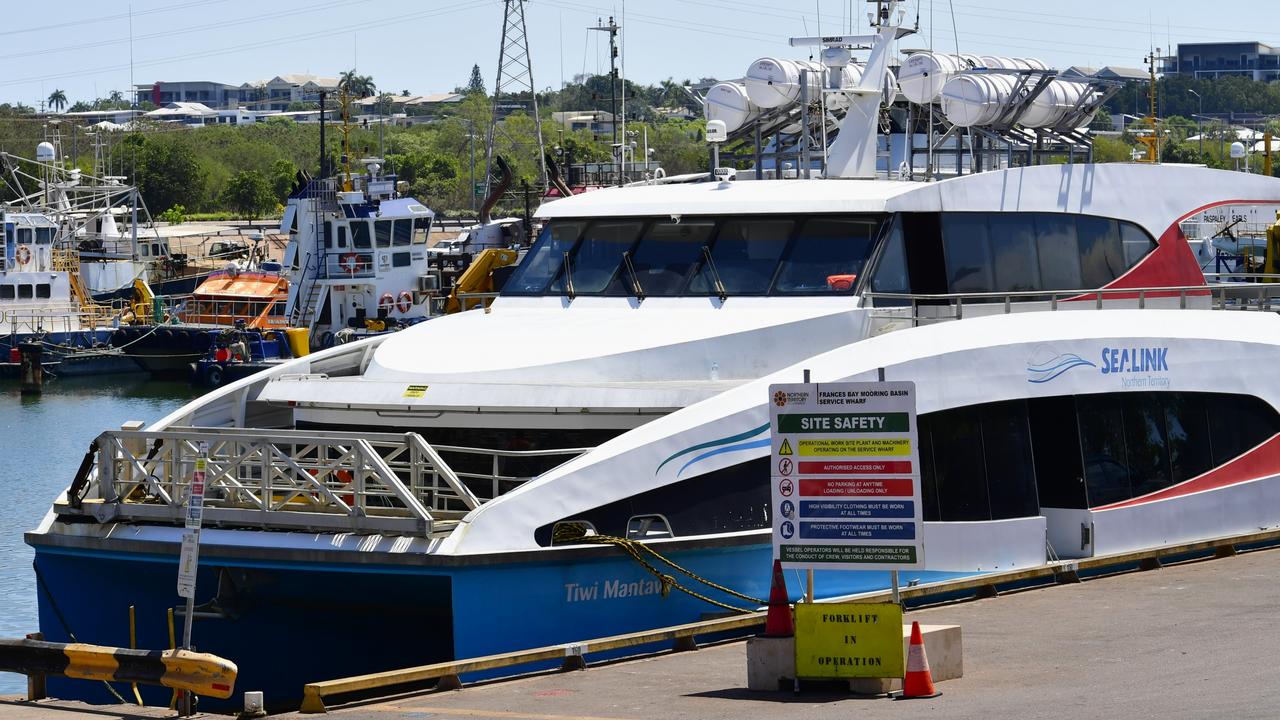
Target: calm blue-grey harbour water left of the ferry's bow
{"x":43,"y":441}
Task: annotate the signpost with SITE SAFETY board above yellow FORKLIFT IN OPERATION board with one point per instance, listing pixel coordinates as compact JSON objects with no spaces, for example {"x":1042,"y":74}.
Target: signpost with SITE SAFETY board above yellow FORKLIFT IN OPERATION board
{"x":847,"y":496}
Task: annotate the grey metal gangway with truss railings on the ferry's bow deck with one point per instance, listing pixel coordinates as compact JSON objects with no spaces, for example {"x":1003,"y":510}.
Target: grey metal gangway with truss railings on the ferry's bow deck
{"x":286,"y":480}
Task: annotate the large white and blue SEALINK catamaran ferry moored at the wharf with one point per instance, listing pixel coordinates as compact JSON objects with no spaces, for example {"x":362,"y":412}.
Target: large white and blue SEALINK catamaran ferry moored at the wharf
{"x":469,"y":486}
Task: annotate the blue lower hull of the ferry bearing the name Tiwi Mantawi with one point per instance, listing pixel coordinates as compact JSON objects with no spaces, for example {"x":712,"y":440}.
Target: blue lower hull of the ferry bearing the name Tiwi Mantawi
{"x":287,"y":625}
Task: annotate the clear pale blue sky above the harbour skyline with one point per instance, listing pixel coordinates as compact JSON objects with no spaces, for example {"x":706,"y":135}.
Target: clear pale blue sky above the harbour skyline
{"x":84,"y":47}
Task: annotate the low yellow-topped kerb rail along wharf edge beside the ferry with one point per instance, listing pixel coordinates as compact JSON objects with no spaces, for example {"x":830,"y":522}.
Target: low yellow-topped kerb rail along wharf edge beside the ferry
{"x":574,"y":654}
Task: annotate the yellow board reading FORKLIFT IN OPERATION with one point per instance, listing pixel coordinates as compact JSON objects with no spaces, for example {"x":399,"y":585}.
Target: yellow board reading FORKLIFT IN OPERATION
{"x":853,"y":640}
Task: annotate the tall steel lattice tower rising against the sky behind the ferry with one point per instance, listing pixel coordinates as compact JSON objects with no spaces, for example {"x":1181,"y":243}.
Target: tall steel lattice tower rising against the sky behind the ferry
{"x":515,"y":78}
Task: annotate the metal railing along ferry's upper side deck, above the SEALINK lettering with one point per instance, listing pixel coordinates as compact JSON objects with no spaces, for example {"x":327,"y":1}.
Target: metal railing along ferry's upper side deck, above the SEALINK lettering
{"x":931,"y":308}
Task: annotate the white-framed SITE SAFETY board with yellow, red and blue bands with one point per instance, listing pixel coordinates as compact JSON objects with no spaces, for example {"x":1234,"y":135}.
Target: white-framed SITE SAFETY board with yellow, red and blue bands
{"x":847,"y":476}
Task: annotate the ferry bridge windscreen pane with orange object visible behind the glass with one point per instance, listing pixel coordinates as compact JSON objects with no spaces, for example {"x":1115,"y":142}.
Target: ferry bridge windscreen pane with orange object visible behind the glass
{"x":828,"y":256}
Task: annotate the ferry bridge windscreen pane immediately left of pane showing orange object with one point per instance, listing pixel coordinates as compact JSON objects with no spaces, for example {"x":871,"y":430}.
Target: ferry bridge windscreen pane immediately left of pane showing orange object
{"x":746,"y":256}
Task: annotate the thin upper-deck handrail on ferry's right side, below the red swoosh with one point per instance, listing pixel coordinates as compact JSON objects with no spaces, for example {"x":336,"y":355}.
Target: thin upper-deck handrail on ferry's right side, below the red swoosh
{"x":1222,"y":297}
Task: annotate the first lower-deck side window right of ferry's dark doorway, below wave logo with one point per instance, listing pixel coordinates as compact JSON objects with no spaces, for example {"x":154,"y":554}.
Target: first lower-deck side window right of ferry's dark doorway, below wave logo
{"x":1103,"y":443}
